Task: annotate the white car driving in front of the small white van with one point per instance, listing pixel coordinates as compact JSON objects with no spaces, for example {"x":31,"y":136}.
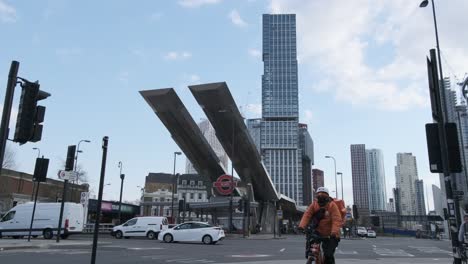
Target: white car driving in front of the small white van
{"x":193,"y":232}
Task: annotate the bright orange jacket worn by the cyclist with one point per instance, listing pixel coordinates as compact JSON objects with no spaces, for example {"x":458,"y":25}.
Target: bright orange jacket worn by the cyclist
{"x":330,"y":223}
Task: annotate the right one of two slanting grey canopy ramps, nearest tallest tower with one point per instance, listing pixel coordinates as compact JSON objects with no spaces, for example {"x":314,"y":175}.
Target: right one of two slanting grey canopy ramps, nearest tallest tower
{"x":220,"y":108}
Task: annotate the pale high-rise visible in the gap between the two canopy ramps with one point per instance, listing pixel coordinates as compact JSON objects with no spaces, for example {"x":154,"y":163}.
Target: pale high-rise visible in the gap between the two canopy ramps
{"x":210,"y":134}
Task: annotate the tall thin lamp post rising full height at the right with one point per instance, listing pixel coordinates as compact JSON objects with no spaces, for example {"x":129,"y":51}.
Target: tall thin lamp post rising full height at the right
{"x":452,"y":204}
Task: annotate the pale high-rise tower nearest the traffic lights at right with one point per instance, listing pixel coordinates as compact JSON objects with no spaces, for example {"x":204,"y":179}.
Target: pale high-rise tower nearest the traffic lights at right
{"x":406,"y":174}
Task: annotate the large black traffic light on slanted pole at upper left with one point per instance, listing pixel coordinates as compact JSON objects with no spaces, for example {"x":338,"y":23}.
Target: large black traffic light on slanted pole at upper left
{"x":30,"y":116}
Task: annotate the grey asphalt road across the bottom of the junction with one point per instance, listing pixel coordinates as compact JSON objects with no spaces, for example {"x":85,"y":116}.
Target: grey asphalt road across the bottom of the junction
{"x":287,"y":250}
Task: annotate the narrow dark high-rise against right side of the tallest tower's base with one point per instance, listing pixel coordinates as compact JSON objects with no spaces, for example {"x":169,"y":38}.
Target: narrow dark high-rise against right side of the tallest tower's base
{"x":306,"y":144}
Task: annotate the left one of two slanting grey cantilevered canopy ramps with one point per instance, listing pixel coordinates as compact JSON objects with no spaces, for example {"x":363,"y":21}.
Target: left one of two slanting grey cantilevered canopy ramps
{"x":185,"y":132}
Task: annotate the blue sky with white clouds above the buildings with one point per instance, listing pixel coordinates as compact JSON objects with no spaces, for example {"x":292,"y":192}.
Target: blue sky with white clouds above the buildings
{"x":362,"y":76}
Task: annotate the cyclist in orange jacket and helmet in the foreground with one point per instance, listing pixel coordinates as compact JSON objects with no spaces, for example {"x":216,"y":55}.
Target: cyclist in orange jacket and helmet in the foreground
{"x":325,"y":214}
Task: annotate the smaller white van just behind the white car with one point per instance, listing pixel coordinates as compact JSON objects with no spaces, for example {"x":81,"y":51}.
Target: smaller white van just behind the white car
{"x":148,"y":226}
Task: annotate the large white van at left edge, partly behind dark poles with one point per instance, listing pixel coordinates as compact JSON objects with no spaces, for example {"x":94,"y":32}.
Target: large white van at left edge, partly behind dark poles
{"x":46,"y":219}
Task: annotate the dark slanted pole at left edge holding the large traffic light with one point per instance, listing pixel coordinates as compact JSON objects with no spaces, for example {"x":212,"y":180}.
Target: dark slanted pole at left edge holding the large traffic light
{"x":10,"y":91}
